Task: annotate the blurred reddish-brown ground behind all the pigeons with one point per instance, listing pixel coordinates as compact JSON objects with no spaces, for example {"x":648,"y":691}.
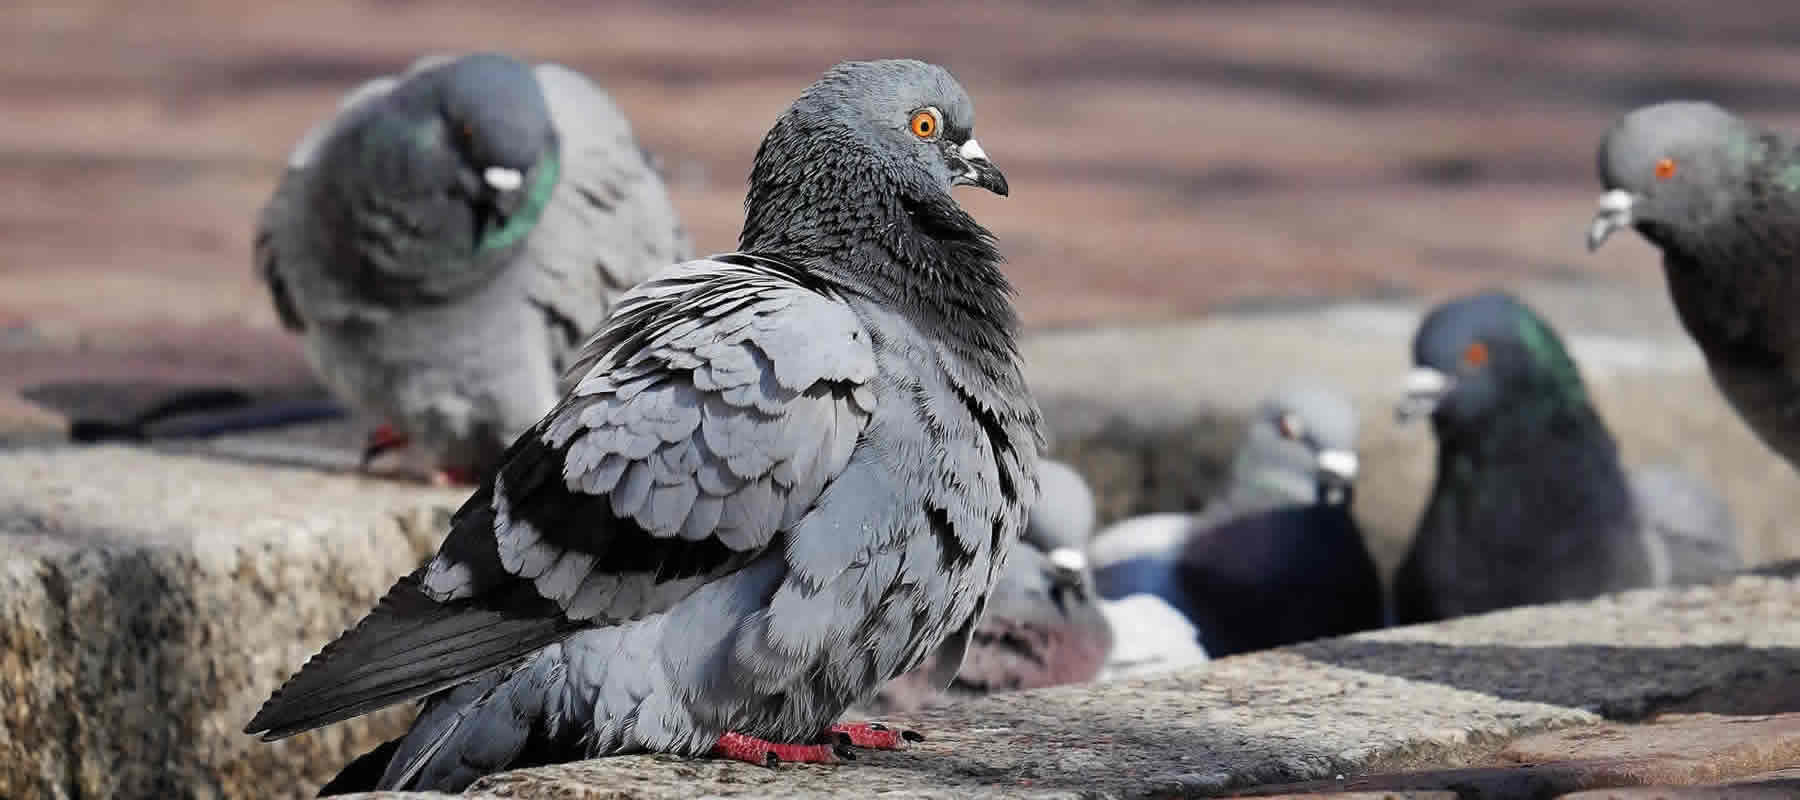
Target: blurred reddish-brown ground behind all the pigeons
{"x":1169,"y":161}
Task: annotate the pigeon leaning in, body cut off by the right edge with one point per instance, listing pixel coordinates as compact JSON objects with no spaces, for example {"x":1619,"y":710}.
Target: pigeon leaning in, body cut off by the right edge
{"x":1722,"y":199}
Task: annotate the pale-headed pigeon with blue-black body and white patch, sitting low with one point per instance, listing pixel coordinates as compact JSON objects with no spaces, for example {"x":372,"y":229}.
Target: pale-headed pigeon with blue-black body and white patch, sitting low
{"x":1277,"y":559}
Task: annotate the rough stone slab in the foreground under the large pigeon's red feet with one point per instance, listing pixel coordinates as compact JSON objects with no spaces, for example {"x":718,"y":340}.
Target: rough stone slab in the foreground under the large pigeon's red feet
{"x":1425,"y":698}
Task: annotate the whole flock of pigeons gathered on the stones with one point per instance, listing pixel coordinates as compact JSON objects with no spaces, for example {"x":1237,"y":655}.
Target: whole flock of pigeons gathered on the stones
{"x":719,"y":505}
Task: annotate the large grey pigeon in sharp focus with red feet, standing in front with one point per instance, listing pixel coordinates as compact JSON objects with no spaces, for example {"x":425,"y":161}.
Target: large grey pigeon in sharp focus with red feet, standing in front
{"x":784,"y":477}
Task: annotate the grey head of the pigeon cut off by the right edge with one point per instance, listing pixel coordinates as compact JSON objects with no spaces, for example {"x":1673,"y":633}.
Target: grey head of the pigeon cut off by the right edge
{"x":1669,"y":170}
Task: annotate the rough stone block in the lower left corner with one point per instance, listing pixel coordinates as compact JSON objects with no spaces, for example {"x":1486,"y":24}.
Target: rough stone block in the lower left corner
{"x":148,"y":605}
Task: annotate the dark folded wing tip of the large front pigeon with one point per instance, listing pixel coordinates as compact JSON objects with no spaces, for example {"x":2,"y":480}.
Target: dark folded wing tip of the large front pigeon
{"x":408,"y":648}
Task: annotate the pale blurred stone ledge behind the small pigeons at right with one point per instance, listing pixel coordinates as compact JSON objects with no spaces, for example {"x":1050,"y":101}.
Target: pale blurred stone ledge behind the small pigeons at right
{"x":1153,"y":414}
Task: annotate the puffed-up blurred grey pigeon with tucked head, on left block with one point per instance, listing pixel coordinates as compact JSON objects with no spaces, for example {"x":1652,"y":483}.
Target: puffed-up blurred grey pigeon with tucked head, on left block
{"x":449,"y":241}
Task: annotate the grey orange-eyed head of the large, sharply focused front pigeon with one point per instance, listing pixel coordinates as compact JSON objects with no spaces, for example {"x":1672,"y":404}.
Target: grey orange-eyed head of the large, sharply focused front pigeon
{"x":874,"y":134}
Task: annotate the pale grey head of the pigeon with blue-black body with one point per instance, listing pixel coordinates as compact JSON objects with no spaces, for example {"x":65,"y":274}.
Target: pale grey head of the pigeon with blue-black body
{"x":1300,"y":444}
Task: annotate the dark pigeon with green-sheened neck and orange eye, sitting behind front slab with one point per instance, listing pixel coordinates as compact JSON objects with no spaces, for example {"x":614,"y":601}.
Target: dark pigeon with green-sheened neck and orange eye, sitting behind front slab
{"x":1531,"y":502}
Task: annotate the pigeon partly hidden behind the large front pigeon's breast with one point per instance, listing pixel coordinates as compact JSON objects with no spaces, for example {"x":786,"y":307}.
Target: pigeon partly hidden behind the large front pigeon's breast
{"x":1043,"y":623}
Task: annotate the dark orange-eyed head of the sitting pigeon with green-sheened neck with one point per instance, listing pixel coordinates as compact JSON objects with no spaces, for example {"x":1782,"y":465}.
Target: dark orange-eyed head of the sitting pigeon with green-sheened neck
{"x":1484,"y":358}
